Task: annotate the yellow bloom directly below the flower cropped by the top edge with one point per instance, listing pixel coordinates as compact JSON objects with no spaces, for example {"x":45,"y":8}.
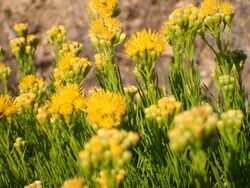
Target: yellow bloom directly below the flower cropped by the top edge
{"x":106,"y":29}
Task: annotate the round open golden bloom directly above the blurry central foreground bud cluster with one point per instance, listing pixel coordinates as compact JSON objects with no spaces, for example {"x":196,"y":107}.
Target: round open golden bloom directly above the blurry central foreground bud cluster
{"x":105,"y":109}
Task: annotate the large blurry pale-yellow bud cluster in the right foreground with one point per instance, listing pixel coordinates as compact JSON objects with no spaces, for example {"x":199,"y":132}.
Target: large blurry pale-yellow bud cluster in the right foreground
{"x":192,"y":127}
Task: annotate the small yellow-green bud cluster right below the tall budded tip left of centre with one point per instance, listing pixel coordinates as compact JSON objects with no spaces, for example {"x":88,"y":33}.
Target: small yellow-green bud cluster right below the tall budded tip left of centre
{"x":71,"y":47}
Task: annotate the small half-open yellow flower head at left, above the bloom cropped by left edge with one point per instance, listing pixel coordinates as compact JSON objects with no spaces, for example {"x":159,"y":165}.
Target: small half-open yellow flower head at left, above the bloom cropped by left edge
{"x":31,"y":83}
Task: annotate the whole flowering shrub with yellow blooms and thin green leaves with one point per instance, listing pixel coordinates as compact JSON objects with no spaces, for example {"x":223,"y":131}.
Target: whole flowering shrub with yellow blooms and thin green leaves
{"x":56,"y":133}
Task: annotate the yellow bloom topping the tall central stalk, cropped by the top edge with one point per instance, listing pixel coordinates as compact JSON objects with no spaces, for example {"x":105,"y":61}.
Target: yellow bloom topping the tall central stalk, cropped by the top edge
{"x":104,"y":8}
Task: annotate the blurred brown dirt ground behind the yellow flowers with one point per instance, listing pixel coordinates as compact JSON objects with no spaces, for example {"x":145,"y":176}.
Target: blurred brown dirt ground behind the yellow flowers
{"x":136,"y":15}
